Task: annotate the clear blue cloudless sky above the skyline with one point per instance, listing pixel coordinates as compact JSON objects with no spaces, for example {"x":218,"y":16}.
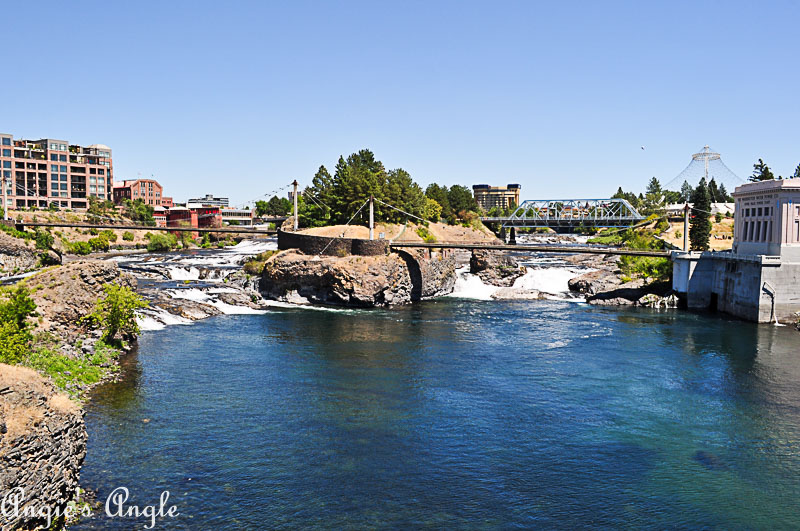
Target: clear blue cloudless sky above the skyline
{"x":238,"y":98}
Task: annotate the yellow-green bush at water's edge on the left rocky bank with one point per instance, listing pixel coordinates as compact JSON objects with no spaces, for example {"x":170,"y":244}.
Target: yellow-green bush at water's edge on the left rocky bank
{"x":116,"y":312}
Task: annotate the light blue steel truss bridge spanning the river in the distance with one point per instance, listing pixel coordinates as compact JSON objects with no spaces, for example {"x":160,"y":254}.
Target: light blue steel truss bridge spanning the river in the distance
{"x":570,"y":213}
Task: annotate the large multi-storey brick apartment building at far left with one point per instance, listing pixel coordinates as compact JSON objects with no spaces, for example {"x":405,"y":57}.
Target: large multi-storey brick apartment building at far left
{"x":38,"y":173}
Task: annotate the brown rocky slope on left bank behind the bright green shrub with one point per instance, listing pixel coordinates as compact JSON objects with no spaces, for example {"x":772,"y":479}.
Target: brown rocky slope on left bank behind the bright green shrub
{"x":65,"y":294}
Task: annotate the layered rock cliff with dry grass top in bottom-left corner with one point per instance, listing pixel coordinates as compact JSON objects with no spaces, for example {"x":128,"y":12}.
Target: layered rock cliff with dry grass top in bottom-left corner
{"x":42,"y":446}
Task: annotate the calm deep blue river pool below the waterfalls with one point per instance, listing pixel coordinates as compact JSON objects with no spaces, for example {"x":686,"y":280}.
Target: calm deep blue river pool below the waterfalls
{"x":458,"y":414}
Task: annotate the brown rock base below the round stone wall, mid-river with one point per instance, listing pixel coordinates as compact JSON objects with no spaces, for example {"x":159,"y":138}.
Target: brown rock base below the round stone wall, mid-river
{"x":361,"y":281}
